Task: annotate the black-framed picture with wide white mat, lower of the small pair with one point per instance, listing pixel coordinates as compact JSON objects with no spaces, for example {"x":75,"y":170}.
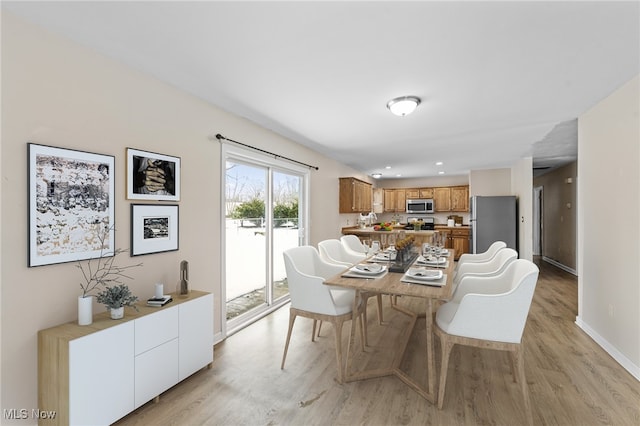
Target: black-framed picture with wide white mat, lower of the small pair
{"x":154,"y":228}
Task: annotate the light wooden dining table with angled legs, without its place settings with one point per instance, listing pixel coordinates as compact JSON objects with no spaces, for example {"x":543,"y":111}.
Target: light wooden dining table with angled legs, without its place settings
{"x":391,"y":283}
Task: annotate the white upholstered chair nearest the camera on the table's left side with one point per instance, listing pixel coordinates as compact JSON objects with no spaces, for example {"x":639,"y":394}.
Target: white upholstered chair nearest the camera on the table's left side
{"x":311,"y":298}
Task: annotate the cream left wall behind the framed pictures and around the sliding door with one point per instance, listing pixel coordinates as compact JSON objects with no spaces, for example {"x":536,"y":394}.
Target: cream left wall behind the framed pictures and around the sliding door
{"x":58,"y":93}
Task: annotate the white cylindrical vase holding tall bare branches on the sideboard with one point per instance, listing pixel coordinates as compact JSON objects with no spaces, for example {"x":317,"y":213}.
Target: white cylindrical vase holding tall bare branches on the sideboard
{"x":99,"y":272}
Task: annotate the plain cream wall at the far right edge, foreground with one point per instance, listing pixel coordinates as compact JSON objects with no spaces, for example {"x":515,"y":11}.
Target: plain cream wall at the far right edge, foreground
{"x":609,"y":244}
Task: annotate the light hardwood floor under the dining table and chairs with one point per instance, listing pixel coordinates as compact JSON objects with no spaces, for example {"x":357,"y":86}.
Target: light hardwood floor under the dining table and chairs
{"x":572,"y":381}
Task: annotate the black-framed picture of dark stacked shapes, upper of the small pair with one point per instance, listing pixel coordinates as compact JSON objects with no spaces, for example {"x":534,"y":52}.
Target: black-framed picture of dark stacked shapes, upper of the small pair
{"x":152,"y":176}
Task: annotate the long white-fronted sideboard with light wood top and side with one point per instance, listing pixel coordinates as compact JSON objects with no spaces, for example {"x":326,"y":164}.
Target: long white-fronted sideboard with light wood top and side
{"x":98,"y":373}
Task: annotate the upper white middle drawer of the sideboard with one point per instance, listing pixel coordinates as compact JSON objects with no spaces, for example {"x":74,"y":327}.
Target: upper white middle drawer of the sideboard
{"x":154,"y":330}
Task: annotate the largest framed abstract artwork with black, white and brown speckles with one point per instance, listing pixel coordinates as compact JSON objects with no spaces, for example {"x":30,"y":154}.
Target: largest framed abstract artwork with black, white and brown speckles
{"x":71,"y":205}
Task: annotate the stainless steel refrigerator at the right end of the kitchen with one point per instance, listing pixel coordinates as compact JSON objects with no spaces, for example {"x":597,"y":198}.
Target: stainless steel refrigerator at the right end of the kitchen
{"x":492,"y":219}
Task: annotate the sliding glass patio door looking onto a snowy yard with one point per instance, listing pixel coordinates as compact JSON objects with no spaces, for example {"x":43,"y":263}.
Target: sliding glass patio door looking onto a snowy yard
{"x":264,"y":210}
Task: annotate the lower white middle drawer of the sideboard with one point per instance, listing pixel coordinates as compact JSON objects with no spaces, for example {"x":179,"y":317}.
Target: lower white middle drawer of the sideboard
{"x":156,"y":371}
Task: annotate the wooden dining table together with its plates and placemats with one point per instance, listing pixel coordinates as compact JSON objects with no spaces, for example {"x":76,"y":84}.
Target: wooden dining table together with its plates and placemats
{"x":398,"y":279}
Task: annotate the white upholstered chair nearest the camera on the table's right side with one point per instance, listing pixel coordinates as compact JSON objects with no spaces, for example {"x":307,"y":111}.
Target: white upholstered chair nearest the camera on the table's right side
{"x":490,"y":313}
